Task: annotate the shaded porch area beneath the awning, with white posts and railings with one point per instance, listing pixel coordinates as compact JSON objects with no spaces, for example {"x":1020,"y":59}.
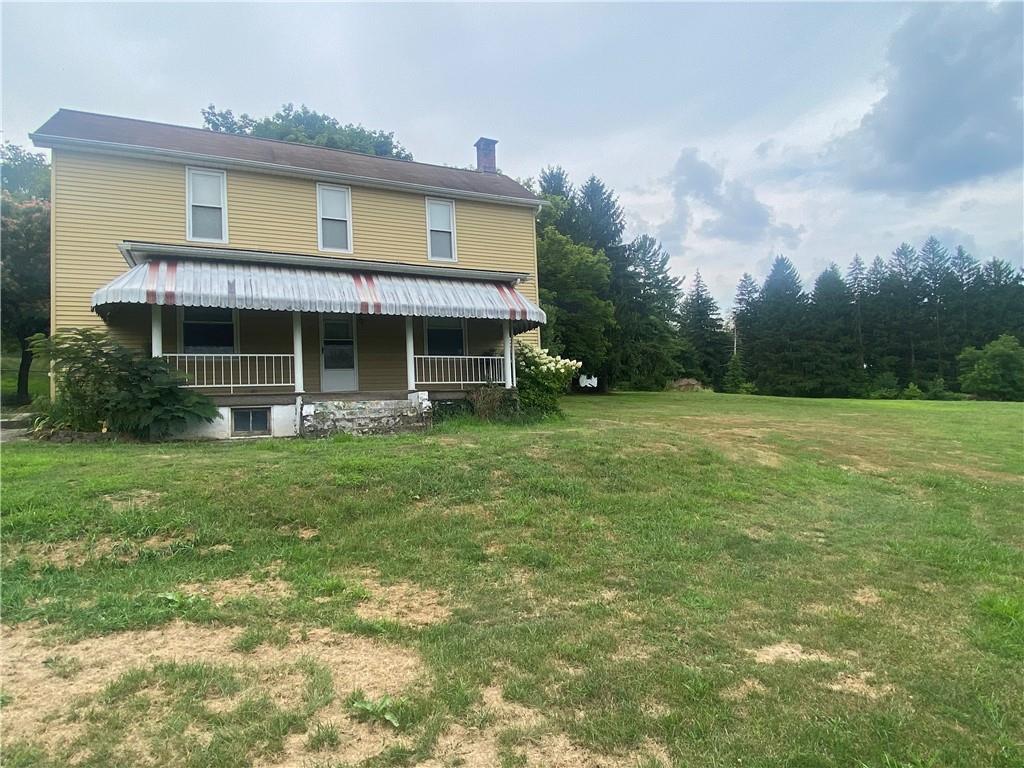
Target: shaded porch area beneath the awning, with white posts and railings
{"x":242,"y":353}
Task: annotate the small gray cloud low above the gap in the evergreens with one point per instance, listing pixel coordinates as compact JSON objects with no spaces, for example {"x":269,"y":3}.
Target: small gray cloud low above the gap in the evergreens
{"x":739,"y":216}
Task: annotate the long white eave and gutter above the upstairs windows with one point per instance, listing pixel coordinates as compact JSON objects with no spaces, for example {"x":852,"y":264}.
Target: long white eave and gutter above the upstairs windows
{"x":51,"y":142}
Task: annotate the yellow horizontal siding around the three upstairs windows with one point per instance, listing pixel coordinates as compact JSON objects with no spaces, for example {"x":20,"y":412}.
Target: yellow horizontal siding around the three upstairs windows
{"x":102,"y":200}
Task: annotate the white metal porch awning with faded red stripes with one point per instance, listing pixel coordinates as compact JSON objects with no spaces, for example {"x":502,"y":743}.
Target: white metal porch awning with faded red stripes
{"x":241,"y":285}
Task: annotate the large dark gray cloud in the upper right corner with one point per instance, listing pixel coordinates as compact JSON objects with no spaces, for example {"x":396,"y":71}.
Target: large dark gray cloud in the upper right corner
{"x":953,"y":109}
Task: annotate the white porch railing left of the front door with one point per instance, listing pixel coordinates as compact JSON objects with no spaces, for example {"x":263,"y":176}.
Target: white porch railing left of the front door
{"x":235,"y":371}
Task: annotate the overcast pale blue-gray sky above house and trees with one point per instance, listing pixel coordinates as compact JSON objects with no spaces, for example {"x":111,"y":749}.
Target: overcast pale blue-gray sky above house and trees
{"x":732,"y":133}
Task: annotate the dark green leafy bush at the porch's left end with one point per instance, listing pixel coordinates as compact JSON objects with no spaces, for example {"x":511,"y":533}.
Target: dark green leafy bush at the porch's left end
{"x":102,"y":385}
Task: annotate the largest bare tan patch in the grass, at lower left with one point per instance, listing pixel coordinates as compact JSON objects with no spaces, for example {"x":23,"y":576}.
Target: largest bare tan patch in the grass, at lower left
{"x":40,"y":698}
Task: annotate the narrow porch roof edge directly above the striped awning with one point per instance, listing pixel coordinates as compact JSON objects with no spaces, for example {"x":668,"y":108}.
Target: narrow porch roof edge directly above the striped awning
{"x":136,"y":252}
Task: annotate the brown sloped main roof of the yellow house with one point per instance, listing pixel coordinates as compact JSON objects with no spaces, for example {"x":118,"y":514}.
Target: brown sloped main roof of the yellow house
{"x":144,"y":136}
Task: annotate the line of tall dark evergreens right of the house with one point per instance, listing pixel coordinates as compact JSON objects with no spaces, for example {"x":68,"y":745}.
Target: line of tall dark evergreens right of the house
{"x":895,"y":326}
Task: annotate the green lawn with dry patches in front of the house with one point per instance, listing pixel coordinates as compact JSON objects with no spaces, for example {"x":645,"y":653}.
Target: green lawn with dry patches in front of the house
{"x":688,"y":580}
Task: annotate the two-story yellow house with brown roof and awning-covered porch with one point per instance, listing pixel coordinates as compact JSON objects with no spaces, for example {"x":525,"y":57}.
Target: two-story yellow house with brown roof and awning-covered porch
{"x":302,"y":287}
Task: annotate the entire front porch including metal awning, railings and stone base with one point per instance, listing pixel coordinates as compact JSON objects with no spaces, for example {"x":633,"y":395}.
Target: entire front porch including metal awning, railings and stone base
{"x":279,"y":337}
